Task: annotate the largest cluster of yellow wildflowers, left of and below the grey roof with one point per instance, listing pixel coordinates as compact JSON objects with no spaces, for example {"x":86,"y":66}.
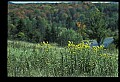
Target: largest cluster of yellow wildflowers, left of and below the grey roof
{"x":84,"y":46}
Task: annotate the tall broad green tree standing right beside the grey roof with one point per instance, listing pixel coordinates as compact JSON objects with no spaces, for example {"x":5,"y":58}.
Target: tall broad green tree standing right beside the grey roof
{"x":97,"y":27}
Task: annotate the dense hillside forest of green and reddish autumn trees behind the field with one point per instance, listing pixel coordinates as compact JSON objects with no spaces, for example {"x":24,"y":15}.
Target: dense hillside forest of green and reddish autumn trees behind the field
{"x":60,"y":23}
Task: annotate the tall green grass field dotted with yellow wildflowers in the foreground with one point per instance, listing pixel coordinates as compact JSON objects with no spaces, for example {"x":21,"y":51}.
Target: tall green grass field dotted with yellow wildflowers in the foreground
{"x":45,"y":60}
